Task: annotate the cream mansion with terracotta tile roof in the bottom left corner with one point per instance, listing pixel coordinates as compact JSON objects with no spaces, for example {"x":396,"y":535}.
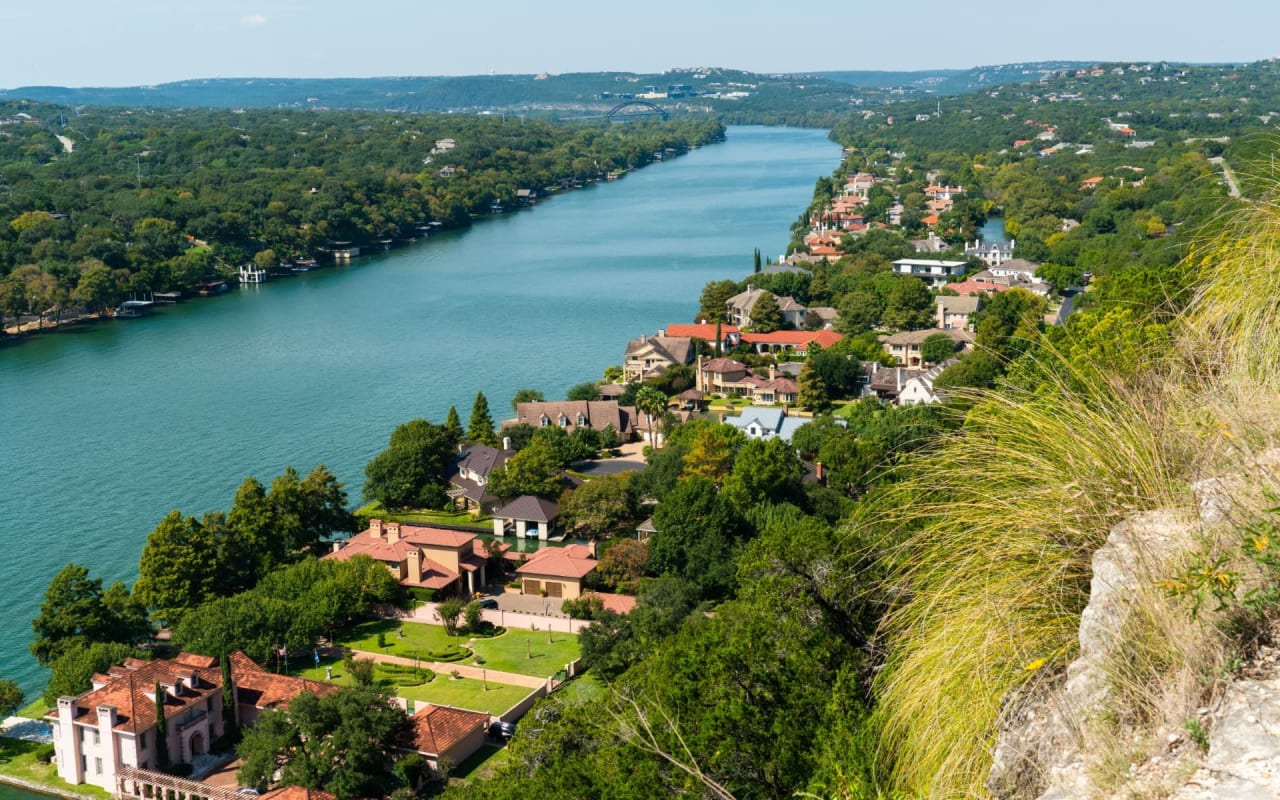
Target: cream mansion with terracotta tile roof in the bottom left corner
{"x":113,"y":725}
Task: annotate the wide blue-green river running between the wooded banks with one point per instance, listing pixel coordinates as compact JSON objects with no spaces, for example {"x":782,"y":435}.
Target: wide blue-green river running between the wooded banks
{"x":107,"y":428}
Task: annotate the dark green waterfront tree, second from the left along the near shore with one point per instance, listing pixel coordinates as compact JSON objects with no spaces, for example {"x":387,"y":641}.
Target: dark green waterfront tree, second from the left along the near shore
{"x":179,"y":569}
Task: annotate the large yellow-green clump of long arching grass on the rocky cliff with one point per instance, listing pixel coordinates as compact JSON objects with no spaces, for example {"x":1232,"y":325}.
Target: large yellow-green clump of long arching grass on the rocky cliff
{"x":991,"y":536}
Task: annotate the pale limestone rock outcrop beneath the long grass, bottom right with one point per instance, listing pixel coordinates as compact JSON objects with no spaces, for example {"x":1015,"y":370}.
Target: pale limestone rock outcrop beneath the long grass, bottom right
{"x":1041,"y":752}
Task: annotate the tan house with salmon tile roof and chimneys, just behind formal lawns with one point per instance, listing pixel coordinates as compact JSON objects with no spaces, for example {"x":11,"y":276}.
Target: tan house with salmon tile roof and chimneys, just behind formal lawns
{"x":422,"y":557}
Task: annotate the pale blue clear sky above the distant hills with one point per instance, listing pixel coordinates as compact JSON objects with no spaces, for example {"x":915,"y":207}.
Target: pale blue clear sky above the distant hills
{"x":131,"y":43}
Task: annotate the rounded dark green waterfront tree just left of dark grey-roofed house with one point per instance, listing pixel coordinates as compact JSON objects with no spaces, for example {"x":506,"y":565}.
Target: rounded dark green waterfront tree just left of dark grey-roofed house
{"x":412,"y":472}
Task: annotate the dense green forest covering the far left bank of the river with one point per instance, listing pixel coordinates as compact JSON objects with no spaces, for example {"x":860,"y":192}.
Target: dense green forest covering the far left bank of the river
{"x":100,"y":204}
